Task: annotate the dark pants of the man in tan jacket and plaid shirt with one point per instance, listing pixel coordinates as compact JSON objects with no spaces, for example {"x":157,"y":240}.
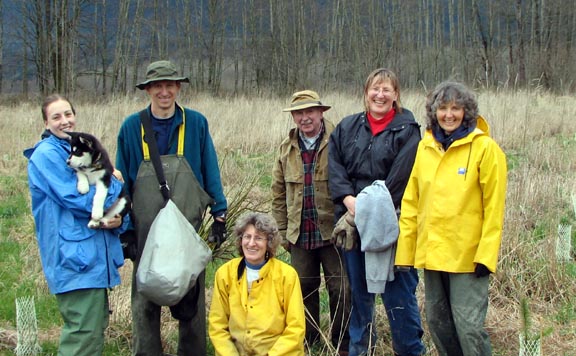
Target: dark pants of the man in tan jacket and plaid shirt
{"x":308,"y":263}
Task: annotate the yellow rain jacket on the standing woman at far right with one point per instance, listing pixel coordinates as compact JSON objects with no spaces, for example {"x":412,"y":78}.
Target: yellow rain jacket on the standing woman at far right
{"x":453,"y":207}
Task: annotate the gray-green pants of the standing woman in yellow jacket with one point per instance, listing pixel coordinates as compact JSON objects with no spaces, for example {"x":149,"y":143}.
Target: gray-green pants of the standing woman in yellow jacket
{"x":456,"y":306}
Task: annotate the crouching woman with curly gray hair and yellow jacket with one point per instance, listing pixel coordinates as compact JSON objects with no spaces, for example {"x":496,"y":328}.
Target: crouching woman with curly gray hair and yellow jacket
{"x":257,"y":307}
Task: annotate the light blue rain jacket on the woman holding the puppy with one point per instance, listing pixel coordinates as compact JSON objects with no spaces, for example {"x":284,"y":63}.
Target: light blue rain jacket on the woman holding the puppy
{"x":73,"y":255}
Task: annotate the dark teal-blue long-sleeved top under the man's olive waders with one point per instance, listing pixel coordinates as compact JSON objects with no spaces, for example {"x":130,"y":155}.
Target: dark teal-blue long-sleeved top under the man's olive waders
{"x":198,"y":150}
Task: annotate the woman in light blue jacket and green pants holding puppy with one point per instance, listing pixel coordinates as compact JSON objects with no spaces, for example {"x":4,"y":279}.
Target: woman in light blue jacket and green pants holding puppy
{"x":79,"y":263}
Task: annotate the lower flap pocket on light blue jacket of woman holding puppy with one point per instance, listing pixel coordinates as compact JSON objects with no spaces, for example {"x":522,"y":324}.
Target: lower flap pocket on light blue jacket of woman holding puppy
{"x":77,"y":248}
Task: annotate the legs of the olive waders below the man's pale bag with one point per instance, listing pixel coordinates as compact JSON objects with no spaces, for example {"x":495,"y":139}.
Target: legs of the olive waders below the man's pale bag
{"x":190,"y":312}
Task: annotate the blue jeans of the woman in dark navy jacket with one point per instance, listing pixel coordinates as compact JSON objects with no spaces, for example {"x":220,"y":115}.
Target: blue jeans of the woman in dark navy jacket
{"x":401,"y":308}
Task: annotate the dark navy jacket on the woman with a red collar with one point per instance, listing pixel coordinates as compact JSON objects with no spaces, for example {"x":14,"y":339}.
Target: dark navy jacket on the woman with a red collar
{"x":356,"y":158}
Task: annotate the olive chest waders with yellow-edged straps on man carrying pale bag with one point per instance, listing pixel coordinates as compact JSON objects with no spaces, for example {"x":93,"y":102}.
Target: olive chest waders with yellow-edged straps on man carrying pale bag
{"x":148,"y":199}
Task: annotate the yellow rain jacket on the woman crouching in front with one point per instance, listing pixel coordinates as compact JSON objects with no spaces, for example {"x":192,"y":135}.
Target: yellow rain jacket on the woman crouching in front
{"x":268,"y":321}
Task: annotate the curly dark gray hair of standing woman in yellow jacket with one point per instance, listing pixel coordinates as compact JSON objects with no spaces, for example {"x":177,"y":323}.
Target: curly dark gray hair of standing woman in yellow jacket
{"x":451,"y":92}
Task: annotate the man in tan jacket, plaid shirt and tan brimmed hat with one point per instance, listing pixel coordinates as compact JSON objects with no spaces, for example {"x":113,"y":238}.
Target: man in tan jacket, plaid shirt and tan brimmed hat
{"x":303,"y":208}
